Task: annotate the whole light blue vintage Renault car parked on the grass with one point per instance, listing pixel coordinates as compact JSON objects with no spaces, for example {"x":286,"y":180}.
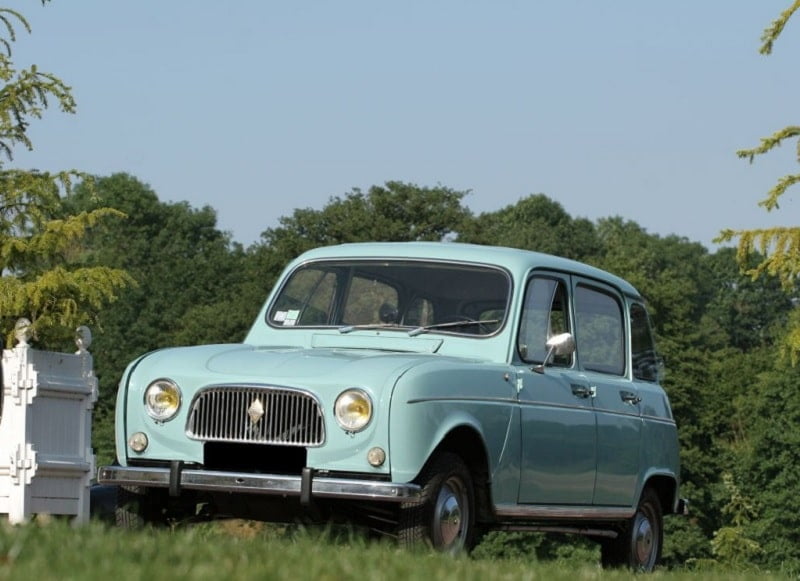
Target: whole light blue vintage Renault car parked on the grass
{"x":425,"y":390}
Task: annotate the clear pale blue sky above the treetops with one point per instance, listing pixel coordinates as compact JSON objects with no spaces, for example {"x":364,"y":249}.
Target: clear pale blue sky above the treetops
{"x":256,"y":108}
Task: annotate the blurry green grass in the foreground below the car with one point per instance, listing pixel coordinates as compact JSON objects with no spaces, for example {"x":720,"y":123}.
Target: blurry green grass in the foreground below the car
{"x":55,"y":550}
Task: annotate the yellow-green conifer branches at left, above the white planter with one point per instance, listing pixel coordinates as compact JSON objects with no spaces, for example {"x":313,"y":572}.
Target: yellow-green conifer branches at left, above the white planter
{"x":38,"y":244}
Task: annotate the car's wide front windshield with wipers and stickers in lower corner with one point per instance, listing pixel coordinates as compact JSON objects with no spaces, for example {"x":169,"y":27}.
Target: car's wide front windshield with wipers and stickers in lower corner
{"x":393,"y":294}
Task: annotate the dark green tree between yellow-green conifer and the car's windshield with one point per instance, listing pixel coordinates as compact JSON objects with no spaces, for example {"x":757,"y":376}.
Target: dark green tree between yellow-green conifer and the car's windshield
{"x":186,"y":271}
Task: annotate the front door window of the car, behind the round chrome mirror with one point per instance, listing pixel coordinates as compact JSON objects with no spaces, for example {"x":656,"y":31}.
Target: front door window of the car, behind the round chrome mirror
{"x":545,"y":313}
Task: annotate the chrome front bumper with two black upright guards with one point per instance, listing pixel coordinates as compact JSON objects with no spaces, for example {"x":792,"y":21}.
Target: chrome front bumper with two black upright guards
{"x":306,"y":487}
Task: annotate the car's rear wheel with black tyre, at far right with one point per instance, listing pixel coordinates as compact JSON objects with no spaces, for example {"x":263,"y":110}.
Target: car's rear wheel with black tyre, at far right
{"x":638,"y":545}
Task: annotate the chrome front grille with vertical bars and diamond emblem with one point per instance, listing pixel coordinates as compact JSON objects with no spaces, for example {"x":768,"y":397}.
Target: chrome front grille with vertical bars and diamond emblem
{"x":260,"y":415}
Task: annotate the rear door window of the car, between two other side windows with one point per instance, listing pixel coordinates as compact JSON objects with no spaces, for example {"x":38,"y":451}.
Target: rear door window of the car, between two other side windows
{"x":599,"y":331}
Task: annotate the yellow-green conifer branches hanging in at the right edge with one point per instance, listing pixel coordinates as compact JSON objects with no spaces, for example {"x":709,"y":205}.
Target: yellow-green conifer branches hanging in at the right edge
{"x":780,"y":246}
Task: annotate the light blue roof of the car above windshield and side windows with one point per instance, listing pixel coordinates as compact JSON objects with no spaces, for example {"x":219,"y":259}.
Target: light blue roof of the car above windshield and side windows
{"x":516,"y":260}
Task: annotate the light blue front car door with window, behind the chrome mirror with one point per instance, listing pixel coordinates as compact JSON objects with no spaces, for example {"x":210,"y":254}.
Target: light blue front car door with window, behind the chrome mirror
{"x":558,"y":449}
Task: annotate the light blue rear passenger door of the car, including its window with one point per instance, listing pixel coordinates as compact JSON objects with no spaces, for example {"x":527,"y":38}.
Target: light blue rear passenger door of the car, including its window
{"x":601,"y":337}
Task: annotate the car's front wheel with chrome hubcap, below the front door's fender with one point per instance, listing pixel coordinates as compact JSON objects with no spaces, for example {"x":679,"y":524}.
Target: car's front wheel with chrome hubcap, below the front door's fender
{"x":445,"y":516}
